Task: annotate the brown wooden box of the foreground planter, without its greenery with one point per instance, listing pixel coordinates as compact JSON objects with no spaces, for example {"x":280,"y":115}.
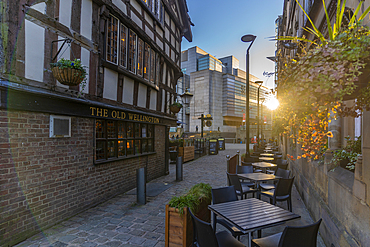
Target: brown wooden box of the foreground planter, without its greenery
{"x":179,"y":228}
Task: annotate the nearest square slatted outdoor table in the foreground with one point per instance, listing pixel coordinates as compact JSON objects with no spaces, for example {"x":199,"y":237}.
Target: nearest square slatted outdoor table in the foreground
{"x":250,"y":215}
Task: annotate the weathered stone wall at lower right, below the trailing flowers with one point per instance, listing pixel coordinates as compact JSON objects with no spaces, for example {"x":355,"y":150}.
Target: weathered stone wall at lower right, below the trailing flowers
{"x":336,"y":195}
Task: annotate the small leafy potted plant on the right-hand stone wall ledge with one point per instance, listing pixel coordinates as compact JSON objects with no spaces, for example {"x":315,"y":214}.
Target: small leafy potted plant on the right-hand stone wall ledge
{"x":347,"y":156}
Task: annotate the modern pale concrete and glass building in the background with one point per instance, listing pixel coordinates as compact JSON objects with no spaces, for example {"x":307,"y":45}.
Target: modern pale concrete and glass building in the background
{"x":218,"y":86}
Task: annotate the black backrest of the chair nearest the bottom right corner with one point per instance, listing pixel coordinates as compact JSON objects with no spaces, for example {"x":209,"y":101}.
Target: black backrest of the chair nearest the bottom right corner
{"x":303,"y":236}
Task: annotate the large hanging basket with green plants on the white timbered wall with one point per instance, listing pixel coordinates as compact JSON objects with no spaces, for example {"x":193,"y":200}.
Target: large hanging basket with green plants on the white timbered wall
{"x":70,"y":73}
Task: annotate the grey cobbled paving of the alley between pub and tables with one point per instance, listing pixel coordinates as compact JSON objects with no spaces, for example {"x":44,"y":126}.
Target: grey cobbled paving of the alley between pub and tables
{"x":121,"y":222}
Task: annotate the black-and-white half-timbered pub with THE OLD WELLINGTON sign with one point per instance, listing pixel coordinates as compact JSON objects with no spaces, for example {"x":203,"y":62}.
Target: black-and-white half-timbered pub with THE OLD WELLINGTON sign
{"x":63,"y":148}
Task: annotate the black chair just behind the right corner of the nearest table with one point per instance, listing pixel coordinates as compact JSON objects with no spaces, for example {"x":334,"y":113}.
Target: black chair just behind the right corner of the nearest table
{"x":282,"y":192}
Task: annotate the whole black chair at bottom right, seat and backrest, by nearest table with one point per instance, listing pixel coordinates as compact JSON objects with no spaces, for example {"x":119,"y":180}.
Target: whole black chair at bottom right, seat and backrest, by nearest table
{"x":302,"y":236}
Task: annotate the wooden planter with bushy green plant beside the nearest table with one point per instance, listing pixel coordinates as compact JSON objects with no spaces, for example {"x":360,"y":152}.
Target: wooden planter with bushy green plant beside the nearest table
{"x":178,"y":225}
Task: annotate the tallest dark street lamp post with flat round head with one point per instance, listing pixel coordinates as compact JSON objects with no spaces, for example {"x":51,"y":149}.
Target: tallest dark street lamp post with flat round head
{"x":247,"y":38}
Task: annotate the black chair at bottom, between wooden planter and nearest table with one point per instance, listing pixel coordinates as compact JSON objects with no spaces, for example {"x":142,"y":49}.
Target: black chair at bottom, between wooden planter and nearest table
{"x":206,"y":237}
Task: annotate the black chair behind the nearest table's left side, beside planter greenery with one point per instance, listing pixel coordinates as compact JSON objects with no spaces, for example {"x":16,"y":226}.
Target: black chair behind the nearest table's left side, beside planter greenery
{"x":220,"y":195}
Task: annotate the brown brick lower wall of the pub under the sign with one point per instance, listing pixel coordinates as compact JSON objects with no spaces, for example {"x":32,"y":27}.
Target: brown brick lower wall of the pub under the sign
{"x":45,"y":180}
